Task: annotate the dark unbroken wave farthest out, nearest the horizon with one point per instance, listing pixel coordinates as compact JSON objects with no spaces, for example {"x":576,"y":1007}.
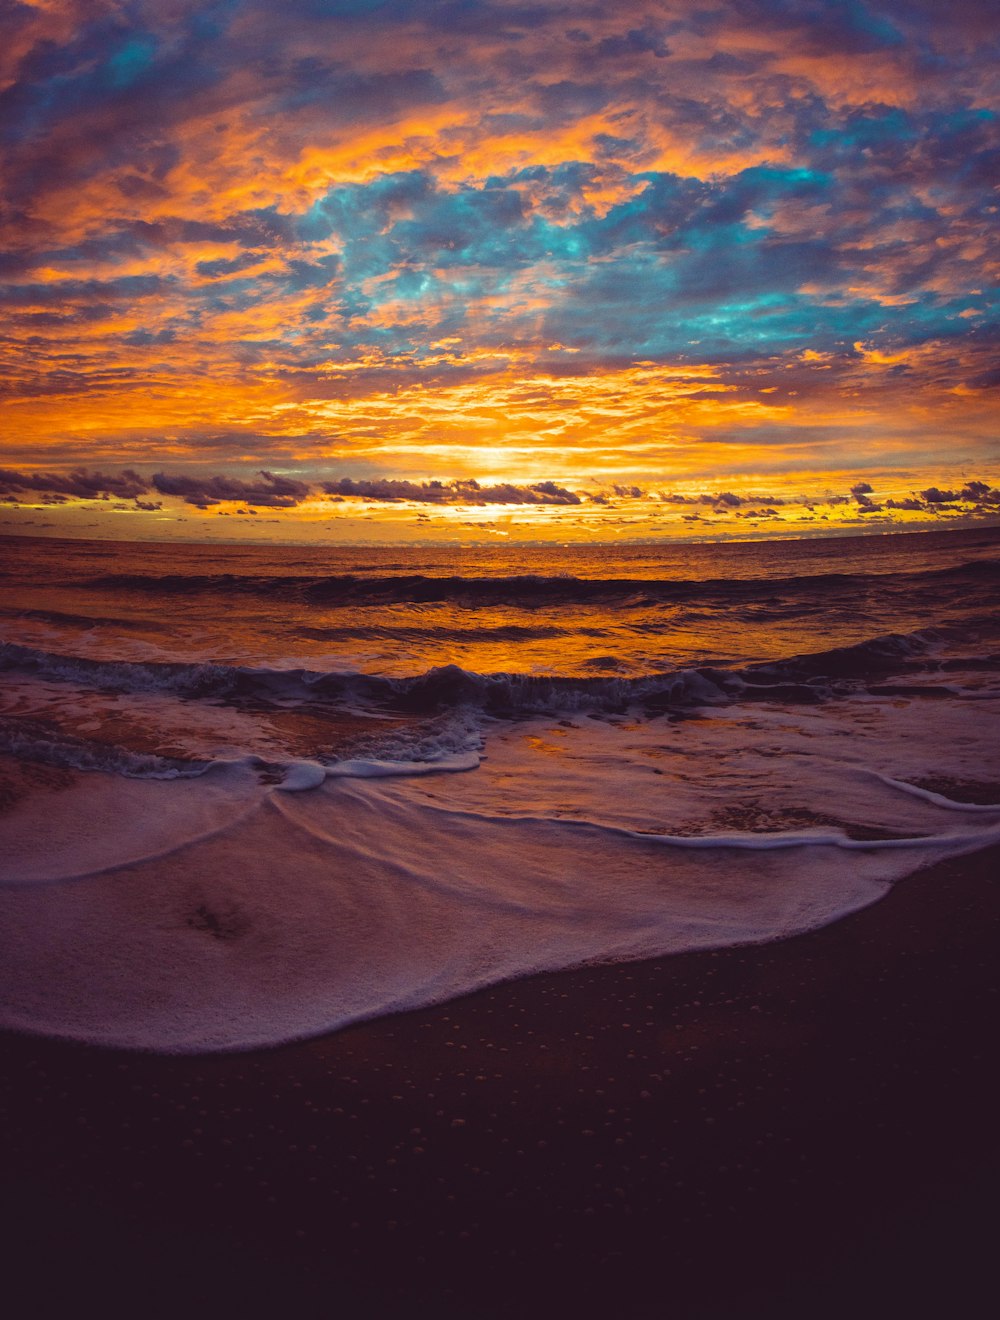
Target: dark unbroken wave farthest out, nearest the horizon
{"x":530,"y":591}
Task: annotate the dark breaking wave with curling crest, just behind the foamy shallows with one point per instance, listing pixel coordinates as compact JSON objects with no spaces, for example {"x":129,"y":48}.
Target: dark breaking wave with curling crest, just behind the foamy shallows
{"x":800,"y":679}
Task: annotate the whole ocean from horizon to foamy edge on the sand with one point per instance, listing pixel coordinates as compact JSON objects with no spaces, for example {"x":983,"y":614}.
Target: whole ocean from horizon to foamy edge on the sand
{"x":254,"y":794}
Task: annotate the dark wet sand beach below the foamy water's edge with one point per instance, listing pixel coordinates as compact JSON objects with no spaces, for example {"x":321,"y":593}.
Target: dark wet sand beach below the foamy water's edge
{"x":803,"y":1129}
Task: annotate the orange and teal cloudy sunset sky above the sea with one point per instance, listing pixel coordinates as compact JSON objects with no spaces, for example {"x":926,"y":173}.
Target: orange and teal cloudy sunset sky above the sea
{"x":460,"y":270}
